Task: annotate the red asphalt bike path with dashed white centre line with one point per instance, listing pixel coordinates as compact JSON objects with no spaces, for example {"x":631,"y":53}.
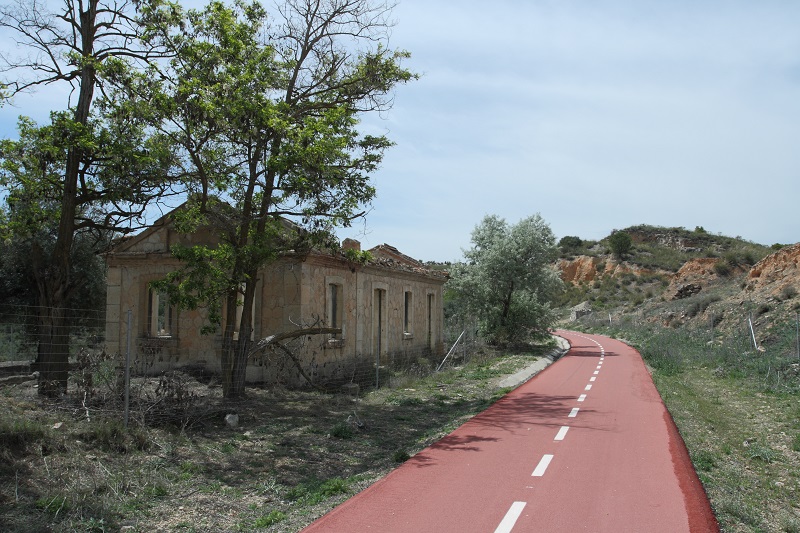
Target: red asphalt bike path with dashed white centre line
{"x":585,"y":445}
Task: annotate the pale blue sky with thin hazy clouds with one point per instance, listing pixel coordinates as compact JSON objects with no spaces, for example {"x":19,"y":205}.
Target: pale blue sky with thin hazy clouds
{"x":595,"y":114}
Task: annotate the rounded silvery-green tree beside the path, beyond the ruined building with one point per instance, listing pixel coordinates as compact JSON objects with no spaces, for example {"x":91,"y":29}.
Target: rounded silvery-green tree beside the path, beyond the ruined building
{"x":508,"y":280}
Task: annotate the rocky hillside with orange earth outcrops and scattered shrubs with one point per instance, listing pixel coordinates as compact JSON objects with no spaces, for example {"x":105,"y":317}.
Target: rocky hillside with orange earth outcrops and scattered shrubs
{"x":675,"y":276}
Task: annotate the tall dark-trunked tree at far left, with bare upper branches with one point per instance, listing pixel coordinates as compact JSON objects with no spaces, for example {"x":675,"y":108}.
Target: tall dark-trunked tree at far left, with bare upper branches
{"x":94,"y":166}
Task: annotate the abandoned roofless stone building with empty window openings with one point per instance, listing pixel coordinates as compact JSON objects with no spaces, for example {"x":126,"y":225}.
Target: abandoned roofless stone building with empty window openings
{"x":389,"y":311}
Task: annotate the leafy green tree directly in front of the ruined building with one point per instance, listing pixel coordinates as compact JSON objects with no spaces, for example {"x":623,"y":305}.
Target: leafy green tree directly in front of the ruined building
{"x":265,"y":112}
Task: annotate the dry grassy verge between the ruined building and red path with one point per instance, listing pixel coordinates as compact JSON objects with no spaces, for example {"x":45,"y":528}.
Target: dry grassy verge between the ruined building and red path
{"x":292,"y":457}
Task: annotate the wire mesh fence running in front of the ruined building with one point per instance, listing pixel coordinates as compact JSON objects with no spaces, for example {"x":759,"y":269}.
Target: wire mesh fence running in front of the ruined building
{"x":97,"y":369}
